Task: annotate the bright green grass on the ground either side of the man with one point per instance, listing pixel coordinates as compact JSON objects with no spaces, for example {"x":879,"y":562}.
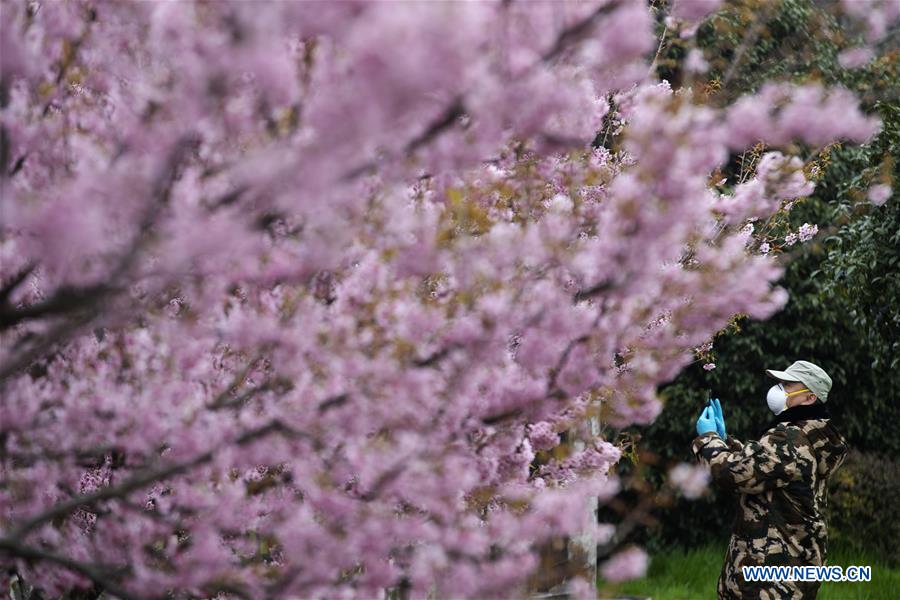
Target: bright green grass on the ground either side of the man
{"x":692,"y":575}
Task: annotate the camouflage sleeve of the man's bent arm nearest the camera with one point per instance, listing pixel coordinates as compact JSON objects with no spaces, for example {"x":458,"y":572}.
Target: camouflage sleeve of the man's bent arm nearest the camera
{"x":772,"y":462}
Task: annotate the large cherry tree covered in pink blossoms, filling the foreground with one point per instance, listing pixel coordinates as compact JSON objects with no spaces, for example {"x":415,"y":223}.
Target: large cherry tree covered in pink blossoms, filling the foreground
{"x":296,"y":298}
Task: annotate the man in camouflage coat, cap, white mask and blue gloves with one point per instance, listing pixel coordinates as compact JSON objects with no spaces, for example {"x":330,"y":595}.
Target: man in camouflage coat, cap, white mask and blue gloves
{"x":782,"y":482}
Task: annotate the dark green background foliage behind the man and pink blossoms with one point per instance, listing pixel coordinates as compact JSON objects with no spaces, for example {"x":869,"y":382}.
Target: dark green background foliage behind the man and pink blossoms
{"x":844,"y":307}
